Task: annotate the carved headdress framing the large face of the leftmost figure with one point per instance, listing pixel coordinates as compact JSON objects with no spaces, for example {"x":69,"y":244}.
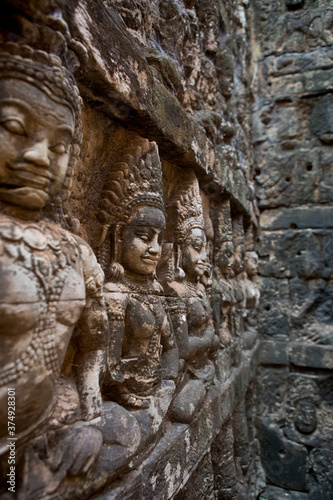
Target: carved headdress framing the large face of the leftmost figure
{"x":50,"y":70}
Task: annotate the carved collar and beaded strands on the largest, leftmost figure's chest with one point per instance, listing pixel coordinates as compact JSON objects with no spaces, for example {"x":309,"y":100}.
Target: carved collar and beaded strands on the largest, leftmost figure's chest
{"x":30,"y":238}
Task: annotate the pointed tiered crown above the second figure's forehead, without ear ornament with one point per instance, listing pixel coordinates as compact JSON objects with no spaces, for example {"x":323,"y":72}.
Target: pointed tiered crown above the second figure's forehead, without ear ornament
{"x":135,"y":180}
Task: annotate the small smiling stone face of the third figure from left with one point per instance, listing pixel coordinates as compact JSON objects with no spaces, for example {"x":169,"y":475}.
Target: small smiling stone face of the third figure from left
{"x":194,"y":254}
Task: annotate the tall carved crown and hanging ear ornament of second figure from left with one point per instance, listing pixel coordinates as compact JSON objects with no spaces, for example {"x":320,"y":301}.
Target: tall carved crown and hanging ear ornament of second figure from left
{"x":134,"y":181}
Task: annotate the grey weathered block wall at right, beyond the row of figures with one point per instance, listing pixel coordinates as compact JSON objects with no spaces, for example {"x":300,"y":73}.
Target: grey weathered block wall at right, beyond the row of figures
{"x":293,"y":154}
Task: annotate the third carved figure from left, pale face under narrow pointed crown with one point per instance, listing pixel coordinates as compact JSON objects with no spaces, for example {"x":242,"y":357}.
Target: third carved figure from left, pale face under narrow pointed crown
{"x":188,"y":303}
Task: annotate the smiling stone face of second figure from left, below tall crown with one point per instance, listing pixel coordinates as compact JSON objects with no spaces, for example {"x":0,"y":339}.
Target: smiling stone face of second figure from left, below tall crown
{"x":141,"y":242}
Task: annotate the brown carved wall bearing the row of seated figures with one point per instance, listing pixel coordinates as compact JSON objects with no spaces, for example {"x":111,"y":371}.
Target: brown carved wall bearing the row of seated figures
{"x":128,"y":239}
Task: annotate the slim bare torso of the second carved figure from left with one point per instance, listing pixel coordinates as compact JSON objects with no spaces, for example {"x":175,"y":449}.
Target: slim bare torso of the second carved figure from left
{"x":146,"y":331}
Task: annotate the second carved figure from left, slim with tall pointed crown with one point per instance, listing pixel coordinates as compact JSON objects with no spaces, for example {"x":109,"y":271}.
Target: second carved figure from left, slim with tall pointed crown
{"x":142,"y":353}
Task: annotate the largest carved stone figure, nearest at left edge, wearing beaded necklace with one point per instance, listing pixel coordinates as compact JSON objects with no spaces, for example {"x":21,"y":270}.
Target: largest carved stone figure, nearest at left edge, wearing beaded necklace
{"x":50,"y":278}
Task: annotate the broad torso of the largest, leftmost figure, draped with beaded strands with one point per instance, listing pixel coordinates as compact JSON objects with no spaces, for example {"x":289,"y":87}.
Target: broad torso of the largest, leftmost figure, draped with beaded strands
{"x":42,"y":295}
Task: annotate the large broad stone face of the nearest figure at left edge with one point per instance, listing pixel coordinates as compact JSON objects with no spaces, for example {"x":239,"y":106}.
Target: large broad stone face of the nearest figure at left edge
{"x":35,"y":139}
